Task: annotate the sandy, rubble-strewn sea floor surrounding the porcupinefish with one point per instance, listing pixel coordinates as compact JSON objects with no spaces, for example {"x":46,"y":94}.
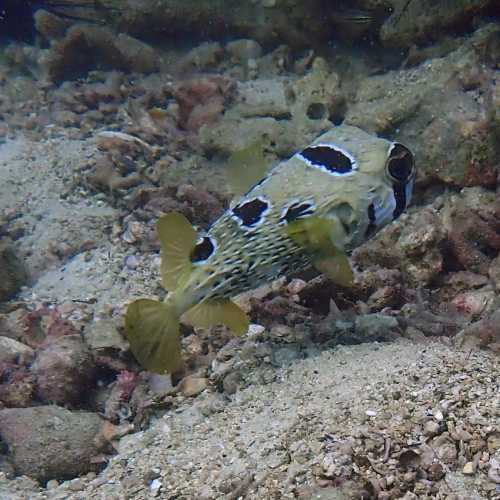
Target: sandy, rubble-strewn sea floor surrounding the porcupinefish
{"x":385,"y":390}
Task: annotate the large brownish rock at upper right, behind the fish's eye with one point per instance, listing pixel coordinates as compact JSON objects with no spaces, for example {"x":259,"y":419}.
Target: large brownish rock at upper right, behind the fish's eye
{"x":452,"y":138}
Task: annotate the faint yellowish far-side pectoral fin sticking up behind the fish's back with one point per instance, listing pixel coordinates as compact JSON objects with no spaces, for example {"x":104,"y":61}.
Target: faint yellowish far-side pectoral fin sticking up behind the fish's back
{"x":246,"y":167}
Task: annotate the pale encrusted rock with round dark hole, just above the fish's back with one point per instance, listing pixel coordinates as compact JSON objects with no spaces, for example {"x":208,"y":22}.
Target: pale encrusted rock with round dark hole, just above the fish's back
{"x":281,"y":112}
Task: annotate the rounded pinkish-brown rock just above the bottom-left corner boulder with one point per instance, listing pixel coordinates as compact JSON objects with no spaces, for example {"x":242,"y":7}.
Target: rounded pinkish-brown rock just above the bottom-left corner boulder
{"x":65,"y":370}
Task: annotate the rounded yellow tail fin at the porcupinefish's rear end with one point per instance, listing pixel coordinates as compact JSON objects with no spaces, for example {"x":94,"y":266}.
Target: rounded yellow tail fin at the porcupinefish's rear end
{"x":152,"y":329}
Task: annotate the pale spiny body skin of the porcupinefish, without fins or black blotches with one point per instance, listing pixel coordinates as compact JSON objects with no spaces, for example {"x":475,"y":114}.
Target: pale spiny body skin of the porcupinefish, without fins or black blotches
{"x":246,"y":257}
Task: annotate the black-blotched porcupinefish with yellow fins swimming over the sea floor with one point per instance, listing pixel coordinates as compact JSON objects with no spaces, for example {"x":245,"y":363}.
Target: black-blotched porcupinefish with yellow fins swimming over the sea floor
{"x":313,"y":208}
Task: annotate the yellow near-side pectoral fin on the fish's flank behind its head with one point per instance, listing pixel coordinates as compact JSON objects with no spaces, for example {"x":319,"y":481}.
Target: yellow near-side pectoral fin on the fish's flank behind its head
{"x":317,"y":235}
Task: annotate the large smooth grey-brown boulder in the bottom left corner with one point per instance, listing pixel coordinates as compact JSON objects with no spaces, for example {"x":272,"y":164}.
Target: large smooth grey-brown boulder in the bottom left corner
{"x":49,"y":442}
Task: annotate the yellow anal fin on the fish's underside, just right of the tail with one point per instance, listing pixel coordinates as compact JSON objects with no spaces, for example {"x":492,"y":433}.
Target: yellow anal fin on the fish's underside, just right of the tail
{"x":218,"y":312}
